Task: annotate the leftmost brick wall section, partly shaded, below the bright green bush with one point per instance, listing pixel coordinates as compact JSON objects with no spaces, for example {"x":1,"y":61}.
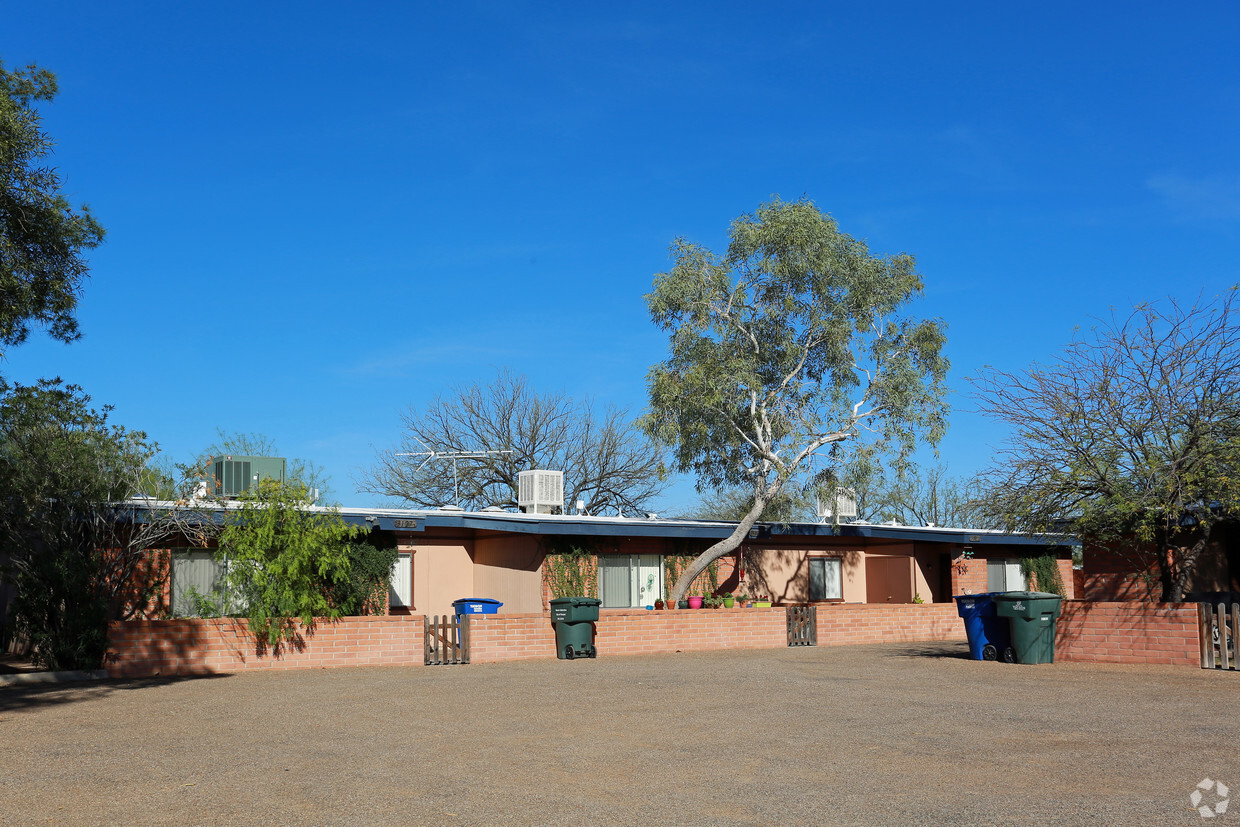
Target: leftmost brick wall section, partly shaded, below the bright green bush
{"x":194,"y":647}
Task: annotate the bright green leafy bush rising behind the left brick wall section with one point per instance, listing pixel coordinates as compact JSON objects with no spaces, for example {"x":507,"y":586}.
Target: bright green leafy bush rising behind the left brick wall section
{"x":285,"y":560}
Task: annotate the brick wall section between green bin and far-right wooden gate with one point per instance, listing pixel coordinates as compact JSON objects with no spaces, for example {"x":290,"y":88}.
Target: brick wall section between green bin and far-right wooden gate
{"x":1128,"y":633}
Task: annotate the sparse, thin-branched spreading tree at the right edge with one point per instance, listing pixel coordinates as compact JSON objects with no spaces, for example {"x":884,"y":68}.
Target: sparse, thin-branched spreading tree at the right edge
{"x":1131,"y":437}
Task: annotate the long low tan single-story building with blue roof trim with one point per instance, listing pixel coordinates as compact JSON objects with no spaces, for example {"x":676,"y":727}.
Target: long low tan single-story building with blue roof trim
{"x":447,"y":555}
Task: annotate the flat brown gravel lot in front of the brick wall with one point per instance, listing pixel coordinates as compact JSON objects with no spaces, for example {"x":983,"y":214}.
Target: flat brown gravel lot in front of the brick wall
{"x":866,"y":736}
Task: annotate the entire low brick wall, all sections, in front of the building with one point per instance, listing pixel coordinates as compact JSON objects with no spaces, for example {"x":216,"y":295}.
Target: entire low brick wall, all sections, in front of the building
{"x":1122,"y":633}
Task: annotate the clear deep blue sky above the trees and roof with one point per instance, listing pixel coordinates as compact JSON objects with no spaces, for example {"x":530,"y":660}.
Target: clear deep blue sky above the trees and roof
{"x":322,"y":215}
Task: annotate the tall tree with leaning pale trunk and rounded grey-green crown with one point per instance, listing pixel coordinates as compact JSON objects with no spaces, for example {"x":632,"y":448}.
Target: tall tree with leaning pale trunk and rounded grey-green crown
{"x":788,"y":345}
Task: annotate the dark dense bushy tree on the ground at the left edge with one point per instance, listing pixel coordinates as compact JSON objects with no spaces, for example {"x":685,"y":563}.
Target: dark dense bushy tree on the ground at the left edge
{"x":65,"y":530}
